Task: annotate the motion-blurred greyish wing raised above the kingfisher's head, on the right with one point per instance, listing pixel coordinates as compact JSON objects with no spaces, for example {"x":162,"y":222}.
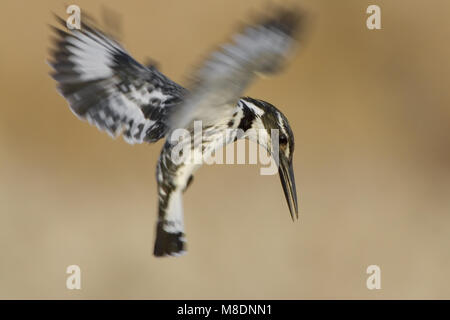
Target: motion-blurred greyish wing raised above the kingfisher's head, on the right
{"x":259,"y":49}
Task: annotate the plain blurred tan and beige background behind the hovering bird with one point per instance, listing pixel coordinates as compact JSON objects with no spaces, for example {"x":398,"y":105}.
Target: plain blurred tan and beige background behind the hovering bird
{"x":370,"y":111}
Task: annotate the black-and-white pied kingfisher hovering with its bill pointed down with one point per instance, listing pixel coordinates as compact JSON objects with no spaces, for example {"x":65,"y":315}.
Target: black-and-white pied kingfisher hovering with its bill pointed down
{"x":104,"y":85}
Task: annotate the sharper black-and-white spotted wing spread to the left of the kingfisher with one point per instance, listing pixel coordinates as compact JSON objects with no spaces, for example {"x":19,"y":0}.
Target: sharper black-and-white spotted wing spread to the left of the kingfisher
{"x":107,"y":87}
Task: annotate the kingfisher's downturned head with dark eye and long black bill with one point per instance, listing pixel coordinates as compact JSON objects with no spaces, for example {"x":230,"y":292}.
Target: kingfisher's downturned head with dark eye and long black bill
{"x":279,"y":141}
